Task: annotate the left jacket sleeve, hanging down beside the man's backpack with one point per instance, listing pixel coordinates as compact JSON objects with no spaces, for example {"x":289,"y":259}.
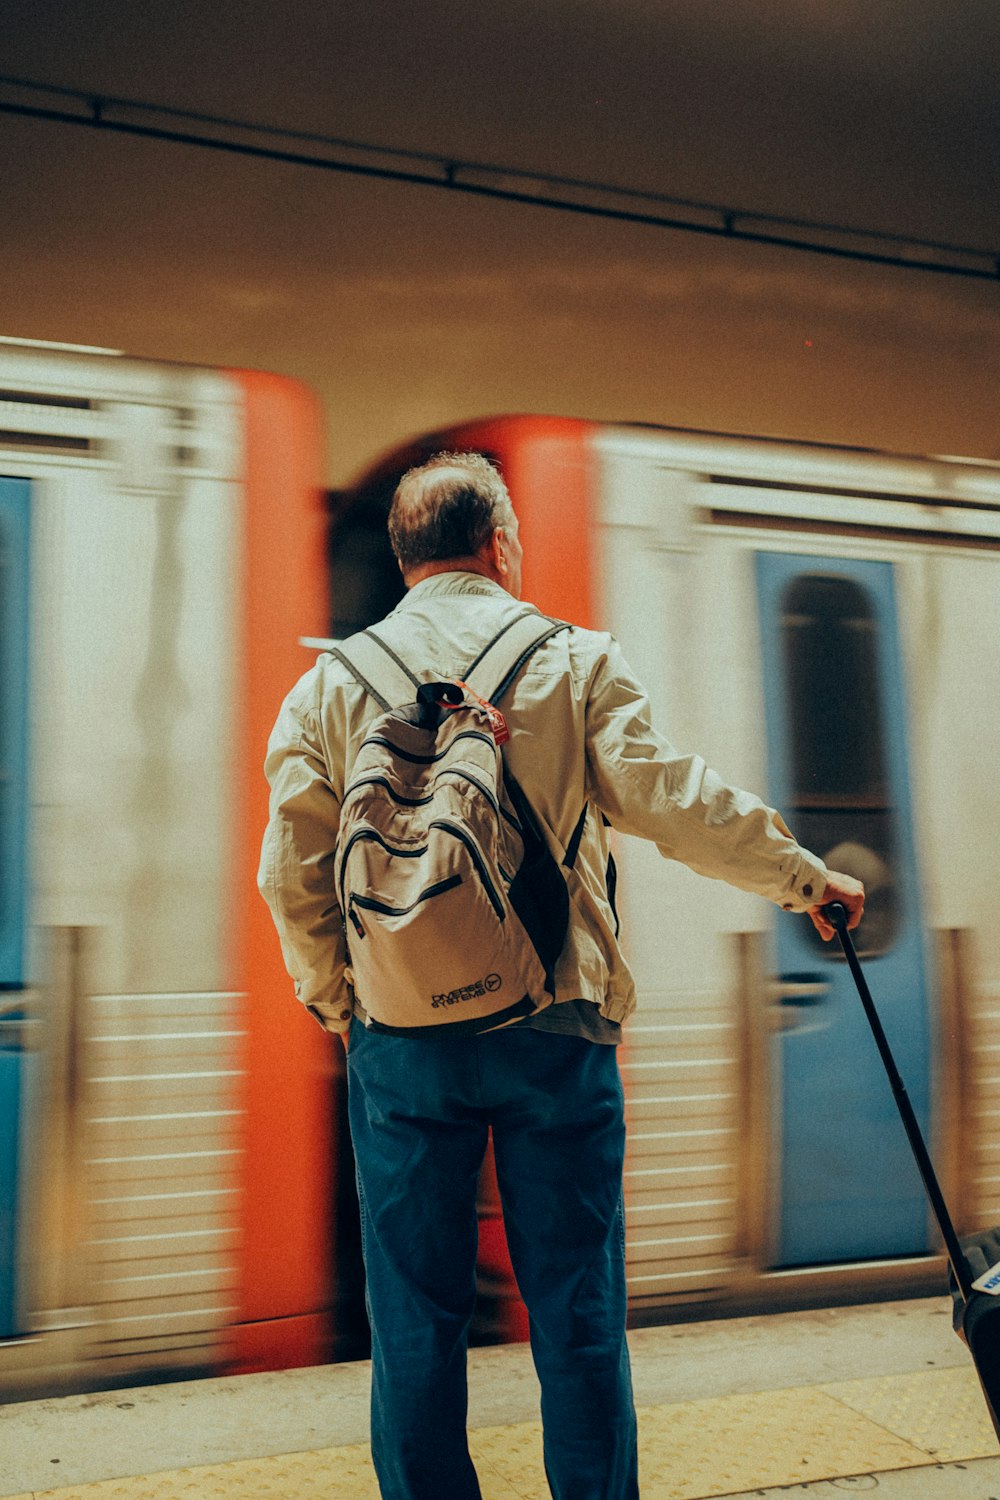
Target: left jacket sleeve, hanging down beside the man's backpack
{"x":296,"y":874}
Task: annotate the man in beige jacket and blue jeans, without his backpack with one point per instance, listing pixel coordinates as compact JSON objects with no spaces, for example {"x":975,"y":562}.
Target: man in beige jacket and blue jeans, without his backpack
{"x":584,"y":751}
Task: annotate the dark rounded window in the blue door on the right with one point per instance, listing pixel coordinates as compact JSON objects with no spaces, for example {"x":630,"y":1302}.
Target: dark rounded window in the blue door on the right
{"x":842,"y":799}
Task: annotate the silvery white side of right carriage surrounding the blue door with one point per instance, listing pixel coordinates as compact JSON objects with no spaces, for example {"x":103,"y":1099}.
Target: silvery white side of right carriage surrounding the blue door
{"x":681,"y":521}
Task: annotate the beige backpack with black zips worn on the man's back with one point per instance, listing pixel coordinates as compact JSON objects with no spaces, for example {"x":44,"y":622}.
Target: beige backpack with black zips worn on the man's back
{"x":455,"y":910}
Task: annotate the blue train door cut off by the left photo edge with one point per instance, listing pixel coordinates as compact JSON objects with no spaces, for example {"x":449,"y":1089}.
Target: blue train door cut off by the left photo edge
{"x":14,"y":667}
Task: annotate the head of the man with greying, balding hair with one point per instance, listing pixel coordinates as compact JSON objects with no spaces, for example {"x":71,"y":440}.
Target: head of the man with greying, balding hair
{"x":455,"y":515}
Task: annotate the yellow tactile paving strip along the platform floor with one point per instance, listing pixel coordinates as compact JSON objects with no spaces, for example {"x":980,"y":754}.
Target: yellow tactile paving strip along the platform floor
{"x":690,"y":1451}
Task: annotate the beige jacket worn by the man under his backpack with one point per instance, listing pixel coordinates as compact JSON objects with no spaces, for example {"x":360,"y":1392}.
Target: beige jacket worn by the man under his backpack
{"x":581,"y":734}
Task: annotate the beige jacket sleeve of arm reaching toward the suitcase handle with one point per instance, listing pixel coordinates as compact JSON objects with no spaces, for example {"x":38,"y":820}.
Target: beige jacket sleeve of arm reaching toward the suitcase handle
{"x":648,"y":788}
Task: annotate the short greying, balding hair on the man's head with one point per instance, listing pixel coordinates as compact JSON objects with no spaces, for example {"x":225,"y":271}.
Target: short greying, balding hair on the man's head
{"x":448,"y":509}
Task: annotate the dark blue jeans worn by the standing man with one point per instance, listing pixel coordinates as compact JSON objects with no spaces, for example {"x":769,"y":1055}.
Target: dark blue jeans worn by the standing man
{"x":421,"y":1112}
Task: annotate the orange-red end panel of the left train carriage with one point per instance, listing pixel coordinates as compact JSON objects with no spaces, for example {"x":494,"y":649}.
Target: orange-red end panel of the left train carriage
{"x":289,"y":1180}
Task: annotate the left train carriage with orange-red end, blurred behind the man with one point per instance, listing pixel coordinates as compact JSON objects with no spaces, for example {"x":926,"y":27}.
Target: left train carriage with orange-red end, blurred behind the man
{"x":142,"y":611}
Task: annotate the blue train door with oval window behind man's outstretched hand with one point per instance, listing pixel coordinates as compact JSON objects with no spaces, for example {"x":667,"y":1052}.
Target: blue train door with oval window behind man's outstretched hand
{"x":837,"y":749}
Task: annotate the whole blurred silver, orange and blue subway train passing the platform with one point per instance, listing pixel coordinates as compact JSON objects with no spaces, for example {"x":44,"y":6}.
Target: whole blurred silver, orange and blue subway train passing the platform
{"x":824,"y":625}
